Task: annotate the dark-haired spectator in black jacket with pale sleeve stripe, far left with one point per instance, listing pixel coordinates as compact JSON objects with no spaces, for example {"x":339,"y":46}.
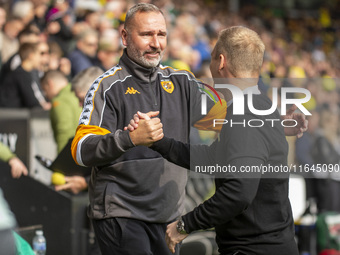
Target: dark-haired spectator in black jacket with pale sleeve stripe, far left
{"x":21,"y":88}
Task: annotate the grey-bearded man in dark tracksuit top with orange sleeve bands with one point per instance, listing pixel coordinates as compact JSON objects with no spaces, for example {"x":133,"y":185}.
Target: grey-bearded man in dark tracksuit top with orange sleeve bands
{"x":134,"y":194}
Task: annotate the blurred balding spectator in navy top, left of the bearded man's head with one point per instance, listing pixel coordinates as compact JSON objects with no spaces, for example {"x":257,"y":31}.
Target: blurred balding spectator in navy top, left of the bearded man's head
{"x":84,"y":55}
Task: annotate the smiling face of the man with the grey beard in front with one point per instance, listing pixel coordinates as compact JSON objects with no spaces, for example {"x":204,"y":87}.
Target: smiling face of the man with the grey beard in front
{"x":145,"y":38}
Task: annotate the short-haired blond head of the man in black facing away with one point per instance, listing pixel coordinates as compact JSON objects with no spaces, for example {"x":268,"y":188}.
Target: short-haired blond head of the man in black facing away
{"x":243,"y":49}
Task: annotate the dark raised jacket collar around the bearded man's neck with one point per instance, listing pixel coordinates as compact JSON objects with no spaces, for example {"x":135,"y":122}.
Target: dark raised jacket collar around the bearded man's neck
{"x":138,"y":71}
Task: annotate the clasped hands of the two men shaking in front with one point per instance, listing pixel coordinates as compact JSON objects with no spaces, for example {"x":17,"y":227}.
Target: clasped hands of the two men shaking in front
{"x":145,"y":128}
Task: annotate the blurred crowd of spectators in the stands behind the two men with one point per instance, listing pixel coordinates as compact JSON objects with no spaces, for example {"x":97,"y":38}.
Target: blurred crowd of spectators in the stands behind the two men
{"x":69,"y":36}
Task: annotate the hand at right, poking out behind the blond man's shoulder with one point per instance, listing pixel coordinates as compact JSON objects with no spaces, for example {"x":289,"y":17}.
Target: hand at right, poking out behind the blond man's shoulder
{"x":302,"y":123}
